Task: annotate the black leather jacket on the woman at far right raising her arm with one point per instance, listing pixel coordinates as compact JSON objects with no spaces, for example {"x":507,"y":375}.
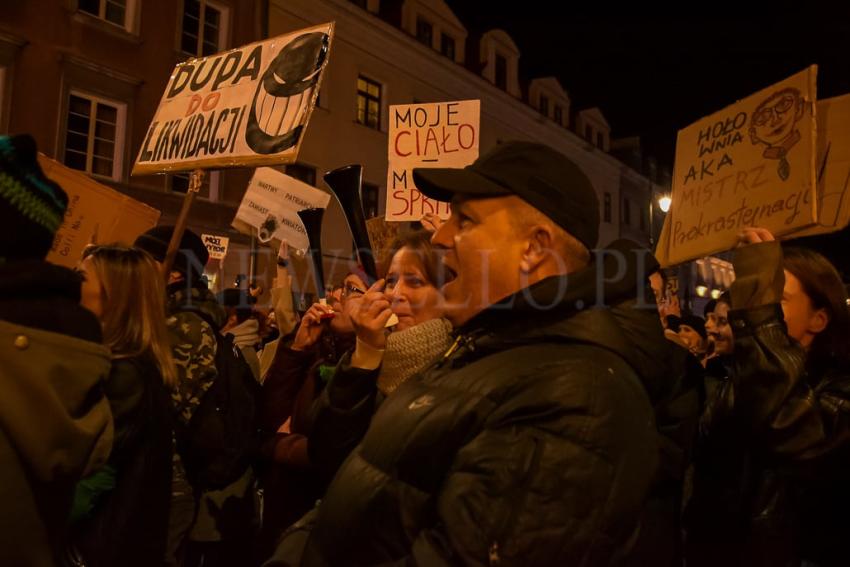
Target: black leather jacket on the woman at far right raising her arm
{"x":771,"y":485}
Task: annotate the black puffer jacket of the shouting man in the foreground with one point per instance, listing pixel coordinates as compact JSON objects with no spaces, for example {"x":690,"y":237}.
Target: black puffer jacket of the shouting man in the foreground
{"x":531,"y":442}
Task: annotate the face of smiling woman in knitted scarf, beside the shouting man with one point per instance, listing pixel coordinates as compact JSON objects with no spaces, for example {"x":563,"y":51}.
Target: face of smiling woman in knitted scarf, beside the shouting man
{"x":412,"y":297}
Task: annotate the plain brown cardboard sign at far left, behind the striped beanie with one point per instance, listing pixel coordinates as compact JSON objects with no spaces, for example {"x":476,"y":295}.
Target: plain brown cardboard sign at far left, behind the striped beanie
{"x":96,"y":214}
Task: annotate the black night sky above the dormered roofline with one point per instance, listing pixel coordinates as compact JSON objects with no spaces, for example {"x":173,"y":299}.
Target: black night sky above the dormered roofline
{"x":655,"y":70}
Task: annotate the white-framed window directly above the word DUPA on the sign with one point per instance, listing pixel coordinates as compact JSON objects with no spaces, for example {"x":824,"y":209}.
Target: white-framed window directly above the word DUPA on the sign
{"x":204,"y":27}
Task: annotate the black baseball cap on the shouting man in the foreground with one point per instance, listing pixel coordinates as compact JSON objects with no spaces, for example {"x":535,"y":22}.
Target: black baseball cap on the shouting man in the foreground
{"x":543,"y":177}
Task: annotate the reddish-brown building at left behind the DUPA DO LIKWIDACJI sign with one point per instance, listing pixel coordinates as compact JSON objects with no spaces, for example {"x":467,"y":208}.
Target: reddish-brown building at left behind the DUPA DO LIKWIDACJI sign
{"x":84,"y":78}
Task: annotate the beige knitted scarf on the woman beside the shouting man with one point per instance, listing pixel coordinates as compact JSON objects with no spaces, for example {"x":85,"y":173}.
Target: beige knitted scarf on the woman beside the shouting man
{"x":411,"y":351}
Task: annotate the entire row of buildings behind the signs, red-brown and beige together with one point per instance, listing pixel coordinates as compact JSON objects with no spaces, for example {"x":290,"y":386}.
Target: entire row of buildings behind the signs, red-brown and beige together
{"x":84,"y":77}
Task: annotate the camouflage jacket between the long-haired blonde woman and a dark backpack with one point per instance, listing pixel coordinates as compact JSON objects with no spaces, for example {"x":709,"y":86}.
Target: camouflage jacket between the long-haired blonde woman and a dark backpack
{"x":193,"y":344}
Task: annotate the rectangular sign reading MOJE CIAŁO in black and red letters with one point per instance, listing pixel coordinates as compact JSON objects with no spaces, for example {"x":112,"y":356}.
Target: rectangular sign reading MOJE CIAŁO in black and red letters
{"x":444,"y":134}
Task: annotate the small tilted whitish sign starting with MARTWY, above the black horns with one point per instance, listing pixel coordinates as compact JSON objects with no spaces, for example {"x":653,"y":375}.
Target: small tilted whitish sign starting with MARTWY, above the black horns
{"x":270,"y":207}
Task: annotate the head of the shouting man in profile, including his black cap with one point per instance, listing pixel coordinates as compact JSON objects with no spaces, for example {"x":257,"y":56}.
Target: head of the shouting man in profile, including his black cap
{"x":521,"y":213}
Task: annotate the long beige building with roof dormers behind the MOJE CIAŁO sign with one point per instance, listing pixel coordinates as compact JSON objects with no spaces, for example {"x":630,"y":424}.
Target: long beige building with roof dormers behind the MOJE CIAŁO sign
{"x":387,"y":53}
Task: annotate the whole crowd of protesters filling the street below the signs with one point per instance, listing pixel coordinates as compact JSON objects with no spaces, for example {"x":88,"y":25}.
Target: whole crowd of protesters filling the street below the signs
{"x":506,"y":394}
